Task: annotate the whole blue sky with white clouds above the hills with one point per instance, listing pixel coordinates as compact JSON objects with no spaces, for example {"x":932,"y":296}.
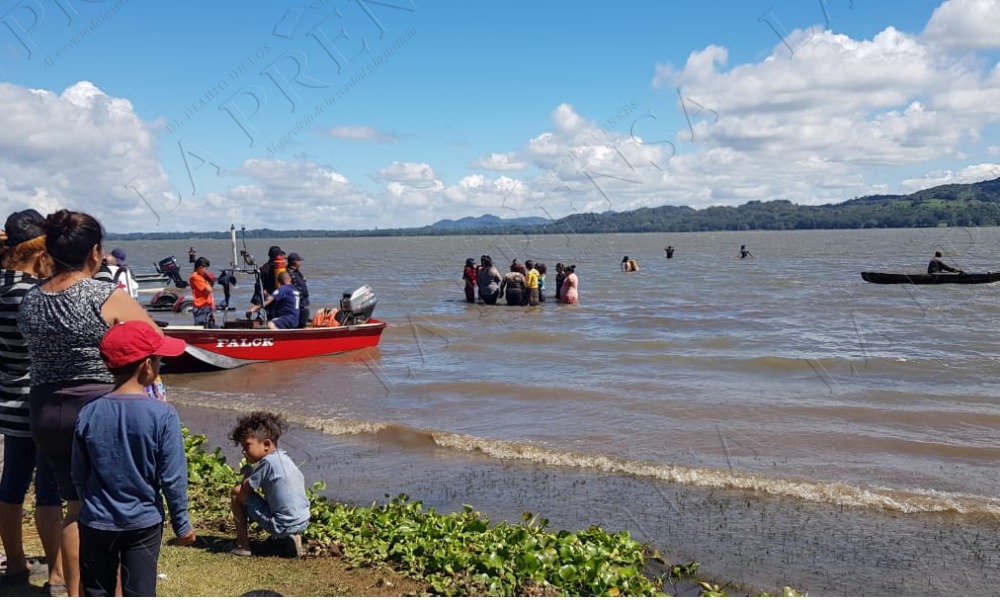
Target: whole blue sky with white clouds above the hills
{"x":361,"y":114}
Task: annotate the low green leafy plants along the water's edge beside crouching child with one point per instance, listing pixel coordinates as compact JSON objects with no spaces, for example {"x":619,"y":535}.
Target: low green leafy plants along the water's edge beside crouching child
{"x":456,"y":554}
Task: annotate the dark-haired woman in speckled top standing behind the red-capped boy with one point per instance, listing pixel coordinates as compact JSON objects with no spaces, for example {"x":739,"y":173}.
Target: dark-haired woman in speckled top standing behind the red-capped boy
{"x":63,"y":320}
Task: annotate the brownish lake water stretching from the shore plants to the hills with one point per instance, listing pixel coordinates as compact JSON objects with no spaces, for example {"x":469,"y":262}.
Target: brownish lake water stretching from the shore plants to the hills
{"x":775,"y":419}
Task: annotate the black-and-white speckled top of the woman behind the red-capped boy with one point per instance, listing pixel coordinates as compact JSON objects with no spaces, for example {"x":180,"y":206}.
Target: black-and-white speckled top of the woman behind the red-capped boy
{"x":64,"y":330}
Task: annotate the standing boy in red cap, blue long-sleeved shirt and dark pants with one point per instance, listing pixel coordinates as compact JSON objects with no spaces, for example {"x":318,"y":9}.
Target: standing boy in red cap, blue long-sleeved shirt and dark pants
{"x":127,"y":449}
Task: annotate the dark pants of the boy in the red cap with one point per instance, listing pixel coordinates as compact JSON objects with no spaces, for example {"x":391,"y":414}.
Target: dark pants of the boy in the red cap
{"x":136,"y":551}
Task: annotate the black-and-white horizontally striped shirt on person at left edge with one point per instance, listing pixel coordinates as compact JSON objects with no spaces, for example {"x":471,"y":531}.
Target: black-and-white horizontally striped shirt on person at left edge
{"x":15,"y":361}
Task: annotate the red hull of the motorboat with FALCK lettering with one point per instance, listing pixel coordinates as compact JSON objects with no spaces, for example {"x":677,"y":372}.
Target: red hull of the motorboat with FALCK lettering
{"x":231,"y":347}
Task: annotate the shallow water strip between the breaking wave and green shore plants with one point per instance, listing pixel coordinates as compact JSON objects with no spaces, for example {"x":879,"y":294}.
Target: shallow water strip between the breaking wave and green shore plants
{"x":760,"y":541}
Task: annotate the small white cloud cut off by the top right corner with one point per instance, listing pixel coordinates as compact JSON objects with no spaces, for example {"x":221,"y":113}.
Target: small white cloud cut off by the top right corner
{"x":965,"y":25}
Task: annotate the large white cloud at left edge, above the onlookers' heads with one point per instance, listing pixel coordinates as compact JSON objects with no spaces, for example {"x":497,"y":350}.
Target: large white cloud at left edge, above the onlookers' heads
{"x":81,"y":149}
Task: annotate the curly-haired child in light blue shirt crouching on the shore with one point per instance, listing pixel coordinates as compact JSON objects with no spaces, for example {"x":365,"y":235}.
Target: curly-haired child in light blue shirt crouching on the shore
{"x":283,"y":510}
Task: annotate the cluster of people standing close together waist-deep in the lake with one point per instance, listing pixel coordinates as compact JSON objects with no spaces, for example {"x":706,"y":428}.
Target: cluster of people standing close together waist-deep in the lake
{"x":522,"y":285}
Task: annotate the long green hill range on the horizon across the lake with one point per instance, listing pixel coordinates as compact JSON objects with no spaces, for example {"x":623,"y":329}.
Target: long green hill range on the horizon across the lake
{"x":953,"y":205}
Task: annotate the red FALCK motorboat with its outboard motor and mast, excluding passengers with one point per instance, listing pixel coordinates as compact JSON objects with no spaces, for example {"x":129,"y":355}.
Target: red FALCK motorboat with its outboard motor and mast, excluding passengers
{"x":241,"y":342}
